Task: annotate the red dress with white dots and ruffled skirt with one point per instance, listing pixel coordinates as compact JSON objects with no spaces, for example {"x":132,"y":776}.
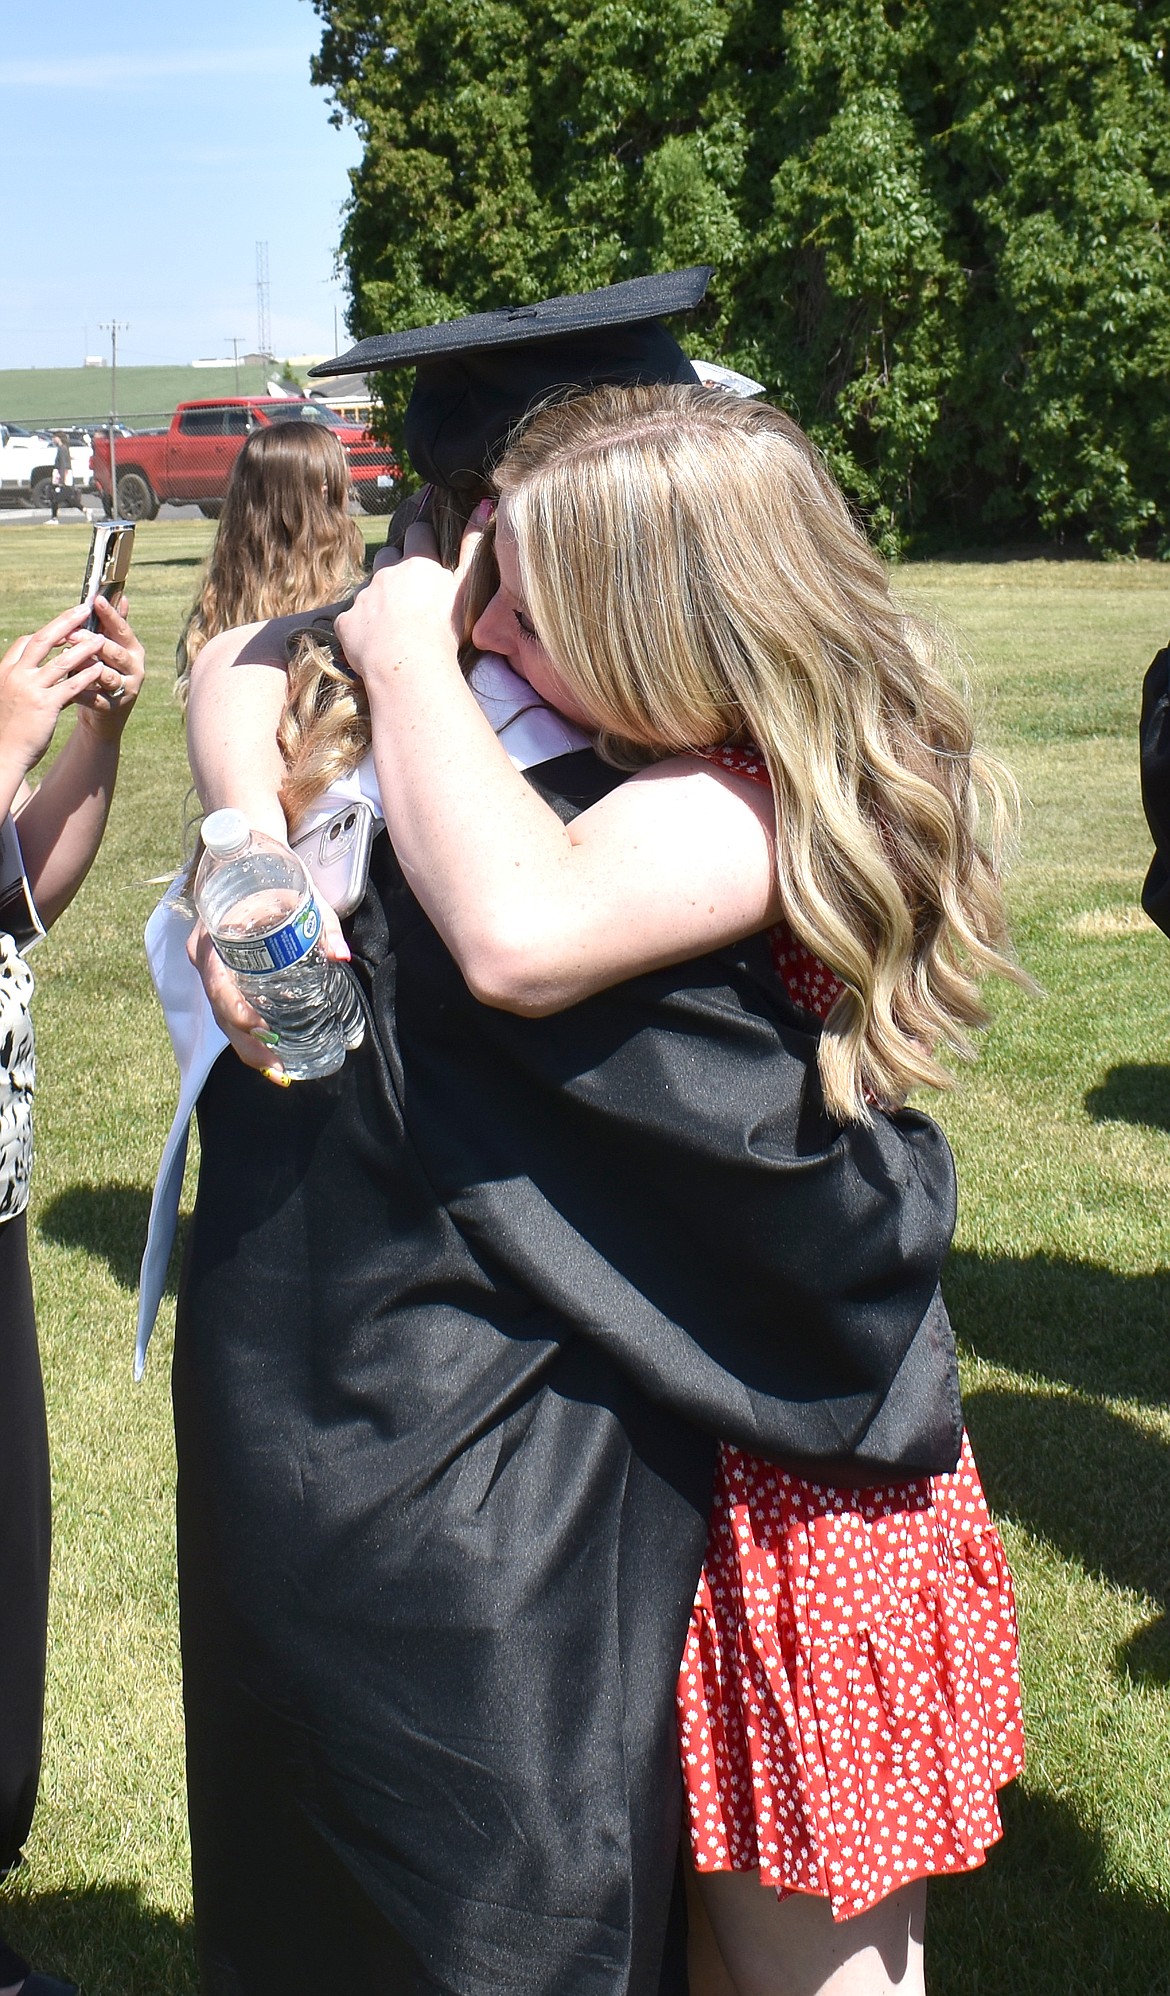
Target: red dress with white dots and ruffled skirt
{"x":850,"y":1696}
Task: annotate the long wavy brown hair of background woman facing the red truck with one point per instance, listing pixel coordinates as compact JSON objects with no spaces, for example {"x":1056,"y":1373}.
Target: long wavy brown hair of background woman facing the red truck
{"x":287,"y":540}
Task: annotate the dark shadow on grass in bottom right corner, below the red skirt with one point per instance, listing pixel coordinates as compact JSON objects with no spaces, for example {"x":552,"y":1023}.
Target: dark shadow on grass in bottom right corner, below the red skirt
{"x":1041,"y":1919}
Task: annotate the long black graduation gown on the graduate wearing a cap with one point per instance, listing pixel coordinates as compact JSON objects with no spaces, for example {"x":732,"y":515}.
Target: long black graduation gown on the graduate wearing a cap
{"x":456,"y":1332}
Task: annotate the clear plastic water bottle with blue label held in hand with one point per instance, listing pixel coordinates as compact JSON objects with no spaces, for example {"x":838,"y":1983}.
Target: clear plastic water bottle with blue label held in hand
{"x":257,"y":901}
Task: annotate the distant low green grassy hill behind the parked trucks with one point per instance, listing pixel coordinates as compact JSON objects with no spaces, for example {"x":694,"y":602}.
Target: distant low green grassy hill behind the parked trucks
{"x":47,"y":396}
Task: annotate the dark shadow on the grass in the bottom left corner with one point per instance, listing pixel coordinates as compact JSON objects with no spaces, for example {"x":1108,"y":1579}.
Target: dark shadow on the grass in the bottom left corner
{"x":105,"y":1939}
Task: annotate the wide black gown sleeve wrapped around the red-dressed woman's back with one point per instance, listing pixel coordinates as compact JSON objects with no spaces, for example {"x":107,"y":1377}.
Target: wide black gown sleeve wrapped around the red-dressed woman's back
{"x":658,"y":1173}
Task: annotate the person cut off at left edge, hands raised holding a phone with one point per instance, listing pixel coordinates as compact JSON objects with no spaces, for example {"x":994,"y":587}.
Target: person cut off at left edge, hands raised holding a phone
{"x":49,"y":837}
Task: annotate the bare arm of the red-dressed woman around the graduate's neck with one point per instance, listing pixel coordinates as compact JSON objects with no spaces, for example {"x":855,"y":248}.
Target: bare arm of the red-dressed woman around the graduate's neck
{"x":540,"y":915}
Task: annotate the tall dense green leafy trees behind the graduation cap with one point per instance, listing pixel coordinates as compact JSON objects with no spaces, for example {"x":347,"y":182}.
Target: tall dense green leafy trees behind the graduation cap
{"x":937,"y":227}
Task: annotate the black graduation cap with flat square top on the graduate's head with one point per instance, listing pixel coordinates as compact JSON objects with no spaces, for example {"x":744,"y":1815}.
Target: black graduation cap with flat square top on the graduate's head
{"x":476,"y":378}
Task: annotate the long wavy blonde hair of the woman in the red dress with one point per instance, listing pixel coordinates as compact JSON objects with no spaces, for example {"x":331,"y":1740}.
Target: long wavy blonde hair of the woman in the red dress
{"x":698,"y":580}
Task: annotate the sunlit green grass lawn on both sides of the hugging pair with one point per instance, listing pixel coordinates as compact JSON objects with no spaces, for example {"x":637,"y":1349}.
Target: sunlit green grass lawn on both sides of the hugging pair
{"x":1059,"y":1288}
